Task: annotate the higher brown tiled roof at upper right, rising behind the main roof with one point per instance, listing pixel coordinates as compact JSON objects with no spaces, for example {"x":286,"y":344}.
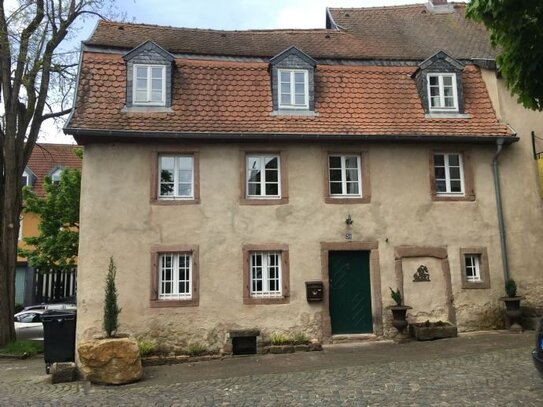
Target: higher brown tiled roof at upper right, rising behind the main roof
{"x":412,"y":32}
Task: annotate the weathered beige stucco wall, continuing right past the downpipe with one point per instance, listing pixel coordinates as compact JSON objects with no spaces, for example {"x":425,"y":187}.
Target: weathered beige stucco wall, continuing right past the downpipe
{"x":402,"y":227}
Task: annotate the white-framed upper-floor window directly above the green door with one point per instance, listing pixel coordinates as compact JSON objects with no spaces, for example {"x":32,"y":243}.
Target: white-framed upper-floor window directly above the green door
{"x":344,"y":175}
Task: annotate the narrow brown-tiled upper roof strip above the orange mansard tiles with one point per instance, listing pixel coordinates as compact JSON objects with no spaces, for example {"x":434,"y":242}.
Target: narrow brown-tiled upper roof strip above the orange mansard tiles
{"x":318,"y":43}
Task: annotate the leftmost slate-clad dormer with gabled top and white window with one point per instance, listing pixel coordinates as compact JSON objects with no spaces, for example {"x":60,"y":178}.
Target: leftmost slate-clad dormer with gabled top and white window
{"x":149,"y":71}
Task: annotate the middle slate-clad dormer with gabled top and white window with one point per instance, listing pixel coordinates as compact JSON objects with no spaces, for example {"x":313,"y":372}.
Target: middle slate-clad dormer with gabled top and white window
{"x":292,"y":79}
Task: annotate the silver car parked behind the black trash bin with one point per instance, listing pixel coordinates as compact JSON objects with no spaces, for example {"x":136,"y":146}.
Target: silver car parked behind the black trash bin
{"x":28,"y":323}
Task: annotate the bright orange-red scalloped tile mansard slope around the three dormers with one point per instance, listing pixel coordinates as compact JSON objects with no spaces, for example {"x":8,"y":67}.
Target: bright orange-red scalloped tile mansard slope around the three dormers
{"x":235,"y":97}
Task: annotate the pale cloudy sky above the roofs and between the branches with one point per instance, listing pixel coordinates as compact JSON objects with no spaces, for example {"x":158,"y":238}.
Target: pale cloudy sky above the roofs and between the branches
{"x":225,"y":15}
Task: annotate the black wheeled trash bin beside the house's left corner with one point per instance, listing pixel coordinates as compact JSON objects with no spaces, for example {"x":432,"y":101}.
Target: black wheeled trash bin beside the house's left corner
{"x":58,"y":337}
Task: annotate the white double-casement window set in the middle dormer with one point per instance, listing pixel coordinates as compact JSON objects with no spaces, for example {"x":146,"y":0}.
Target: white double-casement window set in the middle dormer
{"x":293,"y":89}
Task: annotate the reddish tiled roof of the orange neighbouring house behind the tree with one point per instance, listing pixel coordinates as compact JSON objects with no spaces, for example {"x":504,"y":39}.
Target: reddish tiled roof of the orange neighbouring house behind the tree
{"x":47,"y":157}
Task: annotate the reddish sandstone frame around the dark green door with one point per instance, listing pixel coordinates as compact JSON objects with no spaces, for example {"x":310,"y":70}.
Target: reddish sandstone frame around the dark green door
{"x":371,"y":246}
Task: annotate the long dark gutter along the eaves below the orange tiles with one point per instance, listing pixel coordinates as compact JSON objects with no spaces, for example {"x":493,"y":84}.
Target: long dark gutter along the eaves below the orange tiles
{"x":224,"y":136}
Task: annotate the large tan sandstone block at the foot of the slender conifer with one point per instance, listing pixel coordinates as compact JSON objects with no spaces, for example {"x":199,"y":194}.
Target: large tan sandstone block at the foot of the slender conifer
{"x":110,"y":360}
